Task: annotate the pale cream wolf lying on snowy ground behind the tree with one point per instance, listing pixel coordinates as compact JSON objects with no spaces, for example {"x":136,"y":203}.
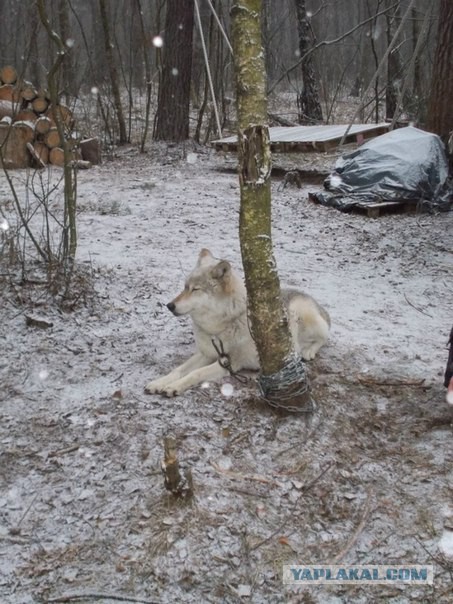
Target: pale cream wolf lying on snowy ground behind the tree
{"x":215,"y":297}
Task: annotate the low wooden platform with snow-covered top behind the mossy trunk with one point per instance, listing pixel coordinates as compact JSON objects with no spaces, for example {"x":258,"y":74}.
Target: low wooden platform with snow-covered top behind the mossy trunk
{"x":295,"y":139}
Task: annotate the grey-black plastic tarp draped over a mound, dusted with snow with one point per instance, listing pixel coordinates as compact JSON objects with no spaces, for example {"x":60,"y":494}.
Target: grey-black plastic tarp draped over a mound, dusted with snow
{"x":405,"y":164}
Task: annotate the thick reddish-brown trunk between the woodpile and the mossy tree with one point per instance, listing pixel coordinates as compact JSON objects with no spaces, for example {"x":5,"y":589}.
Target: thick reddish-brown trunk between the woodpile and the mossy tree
{"x":172,"y":118}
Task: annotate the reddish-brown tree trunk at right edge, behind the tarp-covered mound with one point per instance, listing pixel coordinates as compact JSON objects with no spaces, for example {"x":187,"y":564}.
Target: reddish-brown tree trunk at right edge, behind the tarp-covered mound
{"x":440,"y":106}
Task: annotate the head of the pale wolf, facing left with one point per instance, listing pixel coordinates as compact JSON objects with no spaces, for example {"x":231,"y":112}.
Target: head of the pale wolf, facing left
{"x":210,"y":282}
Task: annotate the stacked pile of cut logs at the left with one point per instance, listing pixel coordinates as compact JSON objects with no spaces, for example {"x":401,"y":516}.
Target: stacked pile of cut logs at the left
{"x":29,"y":133}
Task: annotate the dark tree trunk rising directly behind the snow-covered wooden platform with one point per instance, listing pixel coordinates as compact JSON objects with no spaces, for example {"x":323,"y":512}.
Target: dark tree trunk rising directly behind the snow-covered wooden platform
{"x":308,"y":103}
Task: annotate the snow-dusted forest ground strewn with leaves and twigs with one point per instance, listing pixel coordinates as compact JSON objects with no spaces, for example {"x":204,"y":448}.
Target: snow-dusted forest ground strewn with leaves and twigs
{"x":366,"y":479}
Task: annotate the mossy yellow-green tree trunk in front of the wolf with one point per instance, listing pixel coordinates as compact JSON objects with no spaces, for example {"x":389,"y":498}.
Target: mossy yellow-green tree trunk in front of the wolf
{"x":269,"y":324}
